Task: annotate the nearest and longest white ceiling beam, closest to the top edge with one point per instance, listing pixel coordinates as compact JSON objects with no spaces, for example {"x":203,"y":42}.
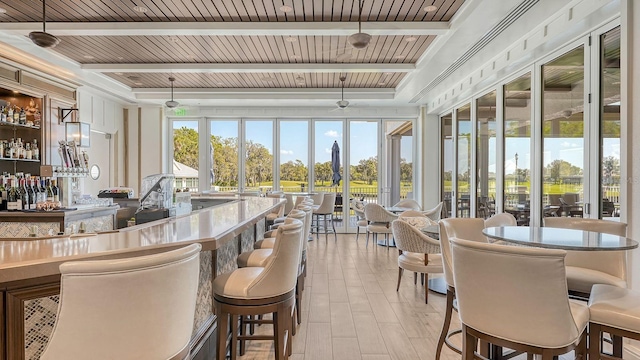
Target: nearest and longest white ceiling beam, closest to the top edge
{"x":413,"y":28}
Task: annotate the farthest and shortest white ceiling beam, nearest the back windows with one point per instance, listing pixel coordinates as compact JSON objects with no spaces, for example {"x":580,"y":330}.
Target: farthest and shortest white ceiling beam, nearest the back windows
{"x":265,"y":93}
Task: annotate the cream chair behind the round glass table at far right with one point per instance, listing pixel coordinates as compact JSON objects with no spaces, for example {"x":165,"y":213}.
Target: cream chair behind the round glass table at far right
{"x":587,"y":268}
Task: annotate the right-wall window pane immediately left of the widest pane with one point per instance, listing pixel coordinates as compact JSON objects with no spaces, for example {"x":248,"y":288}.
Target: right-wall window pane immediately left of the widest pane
{"x":517,"y":148}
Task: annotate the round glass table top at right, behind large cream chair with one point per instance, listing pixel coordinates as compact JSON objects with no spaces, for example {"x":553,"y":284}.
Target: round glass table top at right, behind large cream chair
{"x":557,"y":238}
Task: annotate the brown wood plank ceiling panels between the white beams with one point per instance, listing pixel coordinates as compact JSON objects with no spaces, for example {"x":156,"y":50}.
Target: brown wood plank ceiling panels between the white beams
{"x":258,"y":49}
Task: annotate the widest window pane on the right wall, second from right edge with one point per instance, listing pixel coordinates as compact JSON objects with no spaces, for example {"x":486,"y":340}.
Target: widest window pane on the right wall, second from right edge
{"x":563,"y":134}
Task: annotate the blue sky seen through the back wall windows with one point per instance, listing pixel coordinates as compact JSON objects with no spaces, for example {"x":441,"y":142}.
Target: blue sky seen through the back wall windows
{"x":294,"y":138}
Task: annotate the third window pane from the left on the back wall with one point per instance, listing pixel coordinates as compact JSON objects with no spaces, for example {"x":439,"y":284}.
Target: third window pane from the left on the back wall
{"x":258,"y":146}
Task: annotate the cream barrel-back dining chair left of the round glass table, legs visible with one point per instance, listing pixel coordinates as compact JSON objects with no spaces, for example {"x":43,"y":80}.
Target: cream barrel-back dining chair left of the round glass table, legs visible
{"x":417,"y":252}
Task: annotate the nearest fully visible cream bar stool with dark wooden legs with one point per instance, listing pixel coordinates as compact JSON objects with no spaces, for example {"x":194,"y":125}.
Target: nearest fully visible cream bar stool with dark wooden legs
{"x":261,"y":290}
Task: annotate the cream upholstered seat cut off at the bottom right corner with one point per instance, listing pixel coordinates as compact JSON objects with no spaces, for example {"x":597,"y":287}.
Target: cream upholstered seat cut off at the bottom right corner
{"x":614,"y":310}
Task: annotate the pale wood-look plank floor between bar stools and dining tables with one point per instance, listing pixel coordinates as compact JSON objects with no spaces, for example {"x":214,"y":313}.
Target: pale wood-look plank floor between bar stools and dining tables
{"x":351,"y":309}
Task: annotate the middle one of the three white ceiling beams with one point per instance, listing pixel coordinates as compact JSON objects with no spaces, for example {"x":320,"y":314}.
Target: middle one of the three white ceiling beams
{"x":249,"y":68}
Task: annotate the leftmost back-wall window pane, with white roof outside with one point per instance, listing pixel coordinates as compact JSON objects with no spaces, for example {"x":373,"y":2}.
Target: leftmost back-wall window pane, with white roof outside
{"x":185,"y":162}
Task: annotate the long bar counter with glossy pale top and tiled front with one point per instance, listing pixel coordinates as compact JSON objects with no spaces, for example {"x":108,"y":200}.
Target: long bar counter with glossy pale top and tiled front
{"x":30,"y":279}
